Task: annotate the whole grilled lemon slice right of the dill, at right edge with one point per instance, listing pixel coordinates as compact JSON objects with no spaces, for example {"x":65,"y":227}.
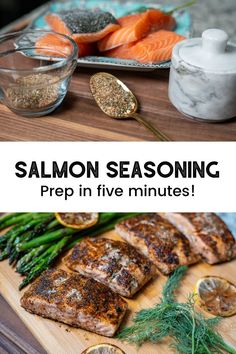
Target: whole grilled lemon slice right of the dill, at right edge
{"x":216,"y":296}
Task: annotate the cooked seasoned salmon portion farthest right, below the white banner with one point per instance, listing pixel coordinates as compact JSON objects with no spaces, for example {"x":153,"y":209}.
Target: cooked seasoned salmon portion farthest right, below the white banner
{"x":207,"y":233}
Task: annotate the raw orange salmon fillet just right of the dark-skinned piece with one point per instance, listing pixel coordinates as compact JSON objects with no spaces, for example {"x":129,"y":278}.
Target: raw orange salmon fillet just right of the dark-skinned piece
{"x":135,"y":27}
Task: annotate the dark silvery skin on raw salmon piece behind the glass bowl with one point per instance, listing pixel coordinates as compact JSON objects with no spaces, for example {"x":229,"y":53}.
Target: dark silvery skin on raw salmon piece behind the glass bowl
{"x":86,"y":21}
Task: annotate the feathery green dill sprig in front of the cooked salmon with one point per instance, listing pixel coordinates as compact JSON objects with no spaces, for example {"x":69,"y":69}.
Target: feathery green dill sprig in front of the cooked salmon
{"x":189,"y":330}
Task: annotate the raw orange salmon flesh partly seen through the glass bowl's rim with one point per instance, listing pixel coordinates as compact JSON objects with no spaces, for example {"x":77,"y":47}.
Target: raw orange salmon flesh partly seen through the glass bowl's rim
{"x":53,"y":45}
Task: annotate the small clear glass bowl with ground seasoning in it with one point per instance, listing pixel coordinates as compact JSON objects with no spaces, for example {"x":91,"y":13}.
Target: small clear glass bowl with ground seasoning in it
{"x":35,"y":70}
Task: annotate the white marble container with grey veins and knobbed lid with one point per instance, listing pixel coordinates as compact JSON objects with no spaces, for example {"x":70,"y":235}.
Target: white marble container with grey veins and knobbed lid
{"x":203,"y":77}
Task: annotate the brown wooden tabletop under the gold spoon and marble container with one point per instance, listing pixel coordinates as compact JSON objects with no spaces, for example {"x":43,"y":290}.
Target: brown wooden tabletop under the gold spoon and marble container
{"x":79,"y":118}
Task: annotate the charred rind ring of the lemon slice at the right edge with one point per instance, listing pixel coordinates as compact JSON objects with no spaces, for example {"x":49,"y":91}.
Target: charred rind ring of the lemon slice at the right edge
{"x":201,"y":303}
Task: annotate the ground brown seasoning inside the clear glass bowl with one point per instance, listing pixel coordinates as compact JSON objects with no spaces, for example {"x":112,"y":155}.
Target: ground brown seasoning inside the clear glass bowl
{"x":33,"y":91}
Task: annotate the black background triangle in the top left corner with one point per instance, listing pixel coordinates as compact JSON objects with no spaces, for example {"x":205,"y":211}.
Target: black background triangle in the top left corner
{"x":10,"y":10}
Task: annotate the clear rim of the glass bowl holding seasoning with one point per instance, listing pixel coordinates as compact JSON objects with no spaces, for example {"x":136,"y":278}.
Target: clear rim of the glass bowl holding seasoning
{"x":62,"y":62}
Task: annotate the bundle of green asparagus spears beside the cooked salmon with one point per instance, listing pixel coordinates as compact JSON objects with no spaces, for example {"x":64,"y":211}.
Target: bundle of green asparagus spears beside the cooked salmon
{"x":35,"y":240}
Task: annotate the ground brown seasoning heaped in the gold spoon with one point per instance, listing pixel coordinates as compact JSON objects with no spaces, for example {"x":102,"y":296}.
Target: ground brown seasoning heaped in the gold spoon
{"x":112,"y":97}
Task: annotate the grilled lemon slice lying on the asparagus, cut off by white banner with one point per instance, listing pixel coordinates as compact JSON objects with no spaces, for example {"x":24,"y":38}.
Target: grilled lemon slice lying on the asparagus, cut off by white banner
{"x":77,"y":220}
